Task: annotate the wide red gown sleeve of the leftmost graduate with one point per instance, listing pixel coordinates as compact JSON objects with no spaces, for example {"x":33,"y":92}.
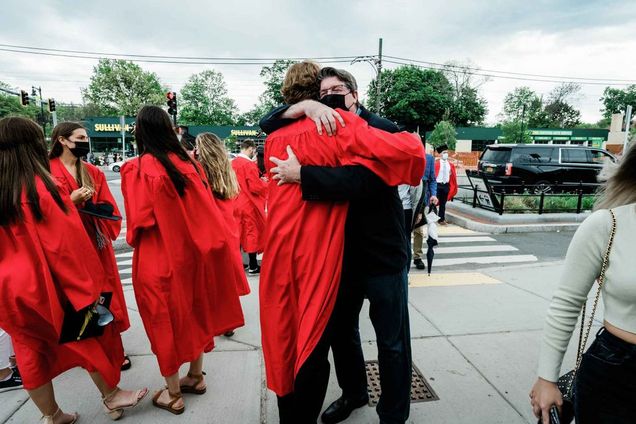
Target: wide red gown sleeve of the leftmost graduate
{"x":62,"y":237}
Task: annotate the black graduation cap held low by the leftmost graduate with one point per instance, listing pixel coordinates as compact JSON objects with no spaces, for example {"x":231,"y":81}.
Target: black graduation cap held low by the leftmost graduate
{"x":87,"y":322}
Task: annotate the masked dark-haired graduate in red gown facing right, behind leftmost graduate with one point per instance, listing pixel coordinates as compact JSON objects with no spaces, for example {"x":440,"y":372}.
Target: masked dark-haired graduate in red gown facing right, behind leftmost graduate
{"x":84,"y":183}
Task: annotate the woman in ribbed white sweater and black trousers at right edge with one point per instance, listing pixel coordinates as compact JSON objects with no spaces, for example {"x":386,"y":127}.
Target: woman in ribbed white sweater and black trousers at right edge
{"x":605,"y":384}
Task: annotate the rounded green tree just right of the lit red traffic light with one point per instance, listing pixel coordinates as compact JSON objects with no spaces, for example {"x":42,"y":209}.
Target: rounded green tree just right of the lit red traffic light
{"x":204,"y":100}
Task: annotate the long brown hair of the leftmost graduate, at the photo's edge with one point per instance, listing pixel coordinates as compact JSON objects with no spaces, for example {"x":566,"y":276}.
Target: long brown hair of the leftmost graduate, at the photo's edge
{"x":22,"y":158}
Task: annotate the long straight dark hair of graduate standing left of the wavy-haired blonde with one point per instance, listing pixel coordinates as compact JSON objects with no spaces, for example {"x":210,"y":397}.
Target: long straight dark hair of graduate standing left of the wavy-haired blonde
{"x":155,"y":136}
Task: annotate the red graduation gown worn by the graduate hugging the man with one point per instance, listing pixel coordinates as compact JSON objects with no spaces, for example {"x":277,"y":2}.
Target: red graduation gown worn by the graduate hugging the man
{"x":305,"y":240}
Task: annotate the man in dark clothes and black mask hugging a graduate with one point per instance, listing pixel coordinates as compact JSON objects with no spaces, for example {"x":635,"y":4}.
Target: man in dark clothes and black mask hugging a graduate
{"x":374,"y":261}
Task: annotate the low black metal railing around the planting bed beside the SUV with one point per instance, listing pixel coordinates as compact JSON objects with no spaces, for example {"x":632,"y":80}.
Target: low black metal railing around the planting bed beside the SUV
{"x":519,"y":198}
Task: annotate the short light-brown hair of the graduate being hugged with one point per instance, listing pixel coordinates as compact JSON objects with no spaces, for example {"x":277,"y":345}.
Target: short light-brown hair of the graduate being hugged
{"x":301,"y":82}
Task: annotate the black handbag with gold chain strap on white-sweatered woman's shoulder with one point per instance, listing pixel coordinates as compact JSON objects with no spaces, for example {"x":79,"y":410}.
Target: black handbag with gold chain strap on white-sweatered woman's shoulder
{"x":566,"y":381}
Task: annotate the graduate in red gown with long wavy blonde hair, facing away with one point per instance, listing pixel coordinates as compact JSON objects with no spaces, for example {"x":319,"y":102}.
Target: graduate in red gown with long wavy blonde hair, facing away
{"x":211,"y":153}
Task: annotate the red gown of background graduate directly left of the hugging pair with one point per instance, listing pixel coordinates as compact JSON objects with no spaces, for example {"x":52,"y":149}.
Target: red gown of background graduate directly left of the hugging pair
{"x":250,"y":204}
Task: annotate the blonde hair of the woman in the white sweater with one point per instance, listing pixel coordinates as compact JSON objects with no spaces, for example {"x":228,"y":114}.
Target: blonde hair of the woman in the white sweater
{"x":620,"y":187}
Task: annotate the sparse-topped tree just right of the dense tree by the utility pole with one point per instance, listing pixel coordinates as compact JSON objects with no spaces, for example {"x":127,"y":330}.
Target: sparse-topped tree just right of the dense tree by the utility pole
{"x":468,"y":108}
